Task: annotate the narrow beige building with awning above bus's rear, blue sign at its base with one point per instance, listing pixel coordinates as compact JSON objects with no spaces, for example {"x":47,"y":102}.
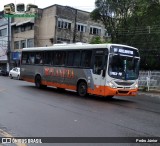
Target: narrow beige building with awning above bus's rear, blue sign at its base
{"x":22,"y":36}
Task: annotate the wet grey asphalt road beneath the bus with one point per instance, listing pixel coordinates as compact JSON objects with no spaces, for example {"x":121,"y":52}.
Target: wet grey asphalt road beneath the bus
{"x":29,"y":112}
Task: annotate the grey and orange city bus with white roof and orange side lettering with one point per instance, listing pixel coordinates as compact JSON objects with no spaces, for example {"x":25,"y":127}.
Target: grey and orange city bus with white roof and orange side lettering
{"x":99,"y":69}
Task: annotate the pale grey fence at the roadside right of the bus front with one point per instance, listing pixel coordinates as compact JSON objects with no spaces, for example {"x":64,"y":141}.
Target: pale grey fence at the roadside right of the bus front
{"x":149,"y":80}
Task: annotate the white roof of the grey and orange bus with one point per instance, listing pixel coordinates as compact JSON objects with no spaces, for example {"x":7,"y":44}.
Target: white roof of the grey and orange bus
{"x":75,"y":47}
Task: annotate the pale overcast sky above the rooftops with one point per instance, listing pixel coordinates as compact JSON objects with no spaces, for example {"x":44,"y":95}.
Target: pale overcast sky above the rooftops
{"x":86,"y":5}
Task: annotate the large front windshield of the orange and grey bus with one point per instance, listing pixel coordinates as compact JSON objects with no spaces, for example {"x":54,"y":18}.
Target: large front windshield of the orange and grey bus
{"x":123,"y":67}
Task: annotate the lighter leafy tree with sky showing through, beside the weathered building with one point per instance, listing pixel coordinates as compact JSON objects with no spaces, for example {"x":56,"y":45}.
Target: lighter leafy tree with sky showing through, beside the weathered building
{"x":113,"y":13}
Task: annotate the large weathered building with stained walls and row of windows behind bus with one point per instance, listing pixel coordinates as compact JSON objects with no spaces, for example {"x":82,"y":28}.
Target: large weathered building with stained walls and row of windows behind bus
{"x":61,"y":24}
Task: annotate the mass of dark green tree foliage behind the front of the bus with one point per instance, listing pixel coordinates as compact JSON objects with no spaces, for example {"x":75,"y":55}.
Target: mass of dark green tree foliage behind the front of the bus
{"x":135,"y":23}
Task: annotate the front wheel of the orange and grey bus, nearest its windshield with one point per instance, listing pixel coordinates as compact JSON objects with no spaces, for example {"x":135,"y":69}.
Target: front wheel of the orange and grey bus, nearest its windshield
{"x":82,"y":89}
